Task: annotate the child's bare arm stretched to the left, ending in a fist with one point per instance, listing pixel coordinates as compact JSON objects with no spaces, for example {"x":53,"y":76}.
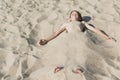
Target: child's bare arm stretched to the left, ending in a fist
{"x":51,"y":37}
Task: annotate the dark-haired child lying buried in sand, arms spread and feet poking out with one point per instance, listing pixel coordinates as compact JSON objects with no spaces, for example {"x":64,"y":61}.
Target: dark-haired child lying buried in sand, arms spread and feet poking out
{"x":73,"y":27}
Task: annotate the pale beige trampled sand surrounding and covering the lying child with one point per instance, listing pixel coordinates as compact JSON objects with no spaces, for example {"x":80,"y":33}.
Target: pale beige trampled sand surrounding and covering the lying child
{"x":24,"y":22}
